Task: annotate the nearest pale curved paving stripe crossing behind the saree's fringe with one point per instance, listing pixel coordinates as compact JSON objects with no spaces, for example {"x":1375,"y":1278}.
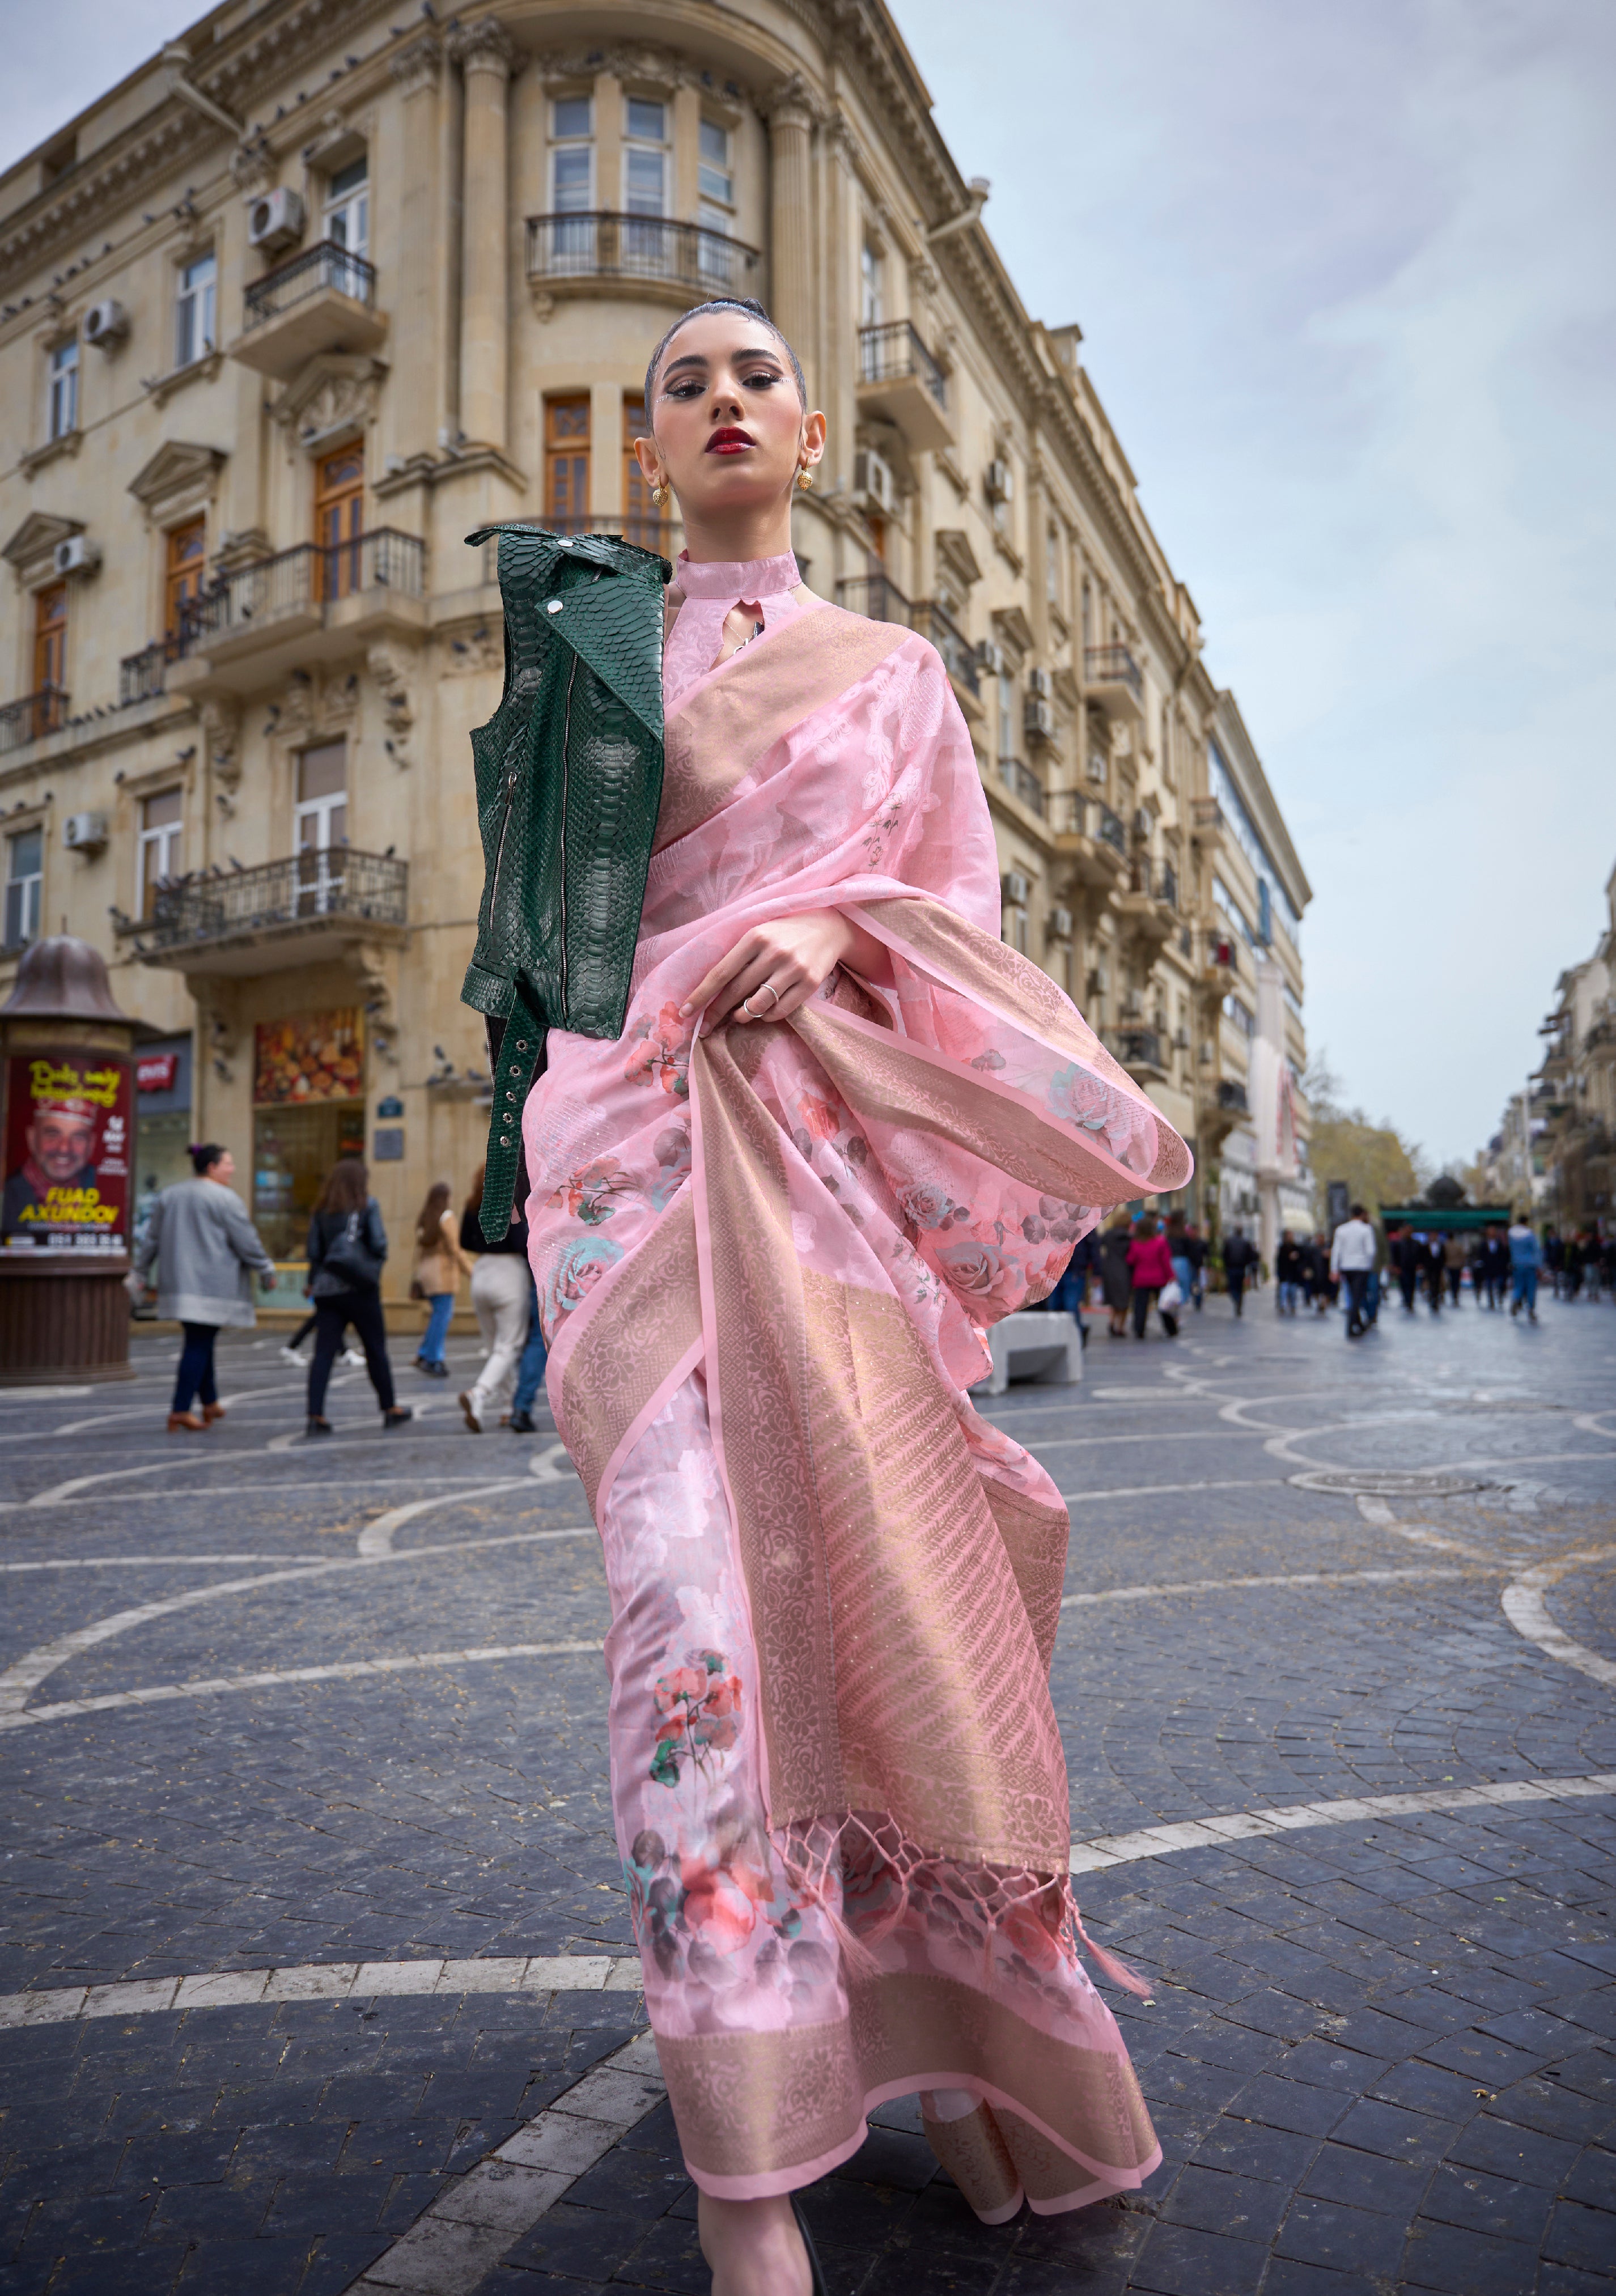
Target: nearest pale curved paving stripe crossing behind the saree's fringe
{"x":621,"y":1973}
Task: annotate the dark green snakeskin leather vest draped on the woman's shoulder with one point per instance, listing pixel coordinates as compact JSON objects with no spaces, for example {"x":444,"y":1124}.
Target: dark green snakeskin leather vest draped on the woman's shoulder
{"x":568,"y":793}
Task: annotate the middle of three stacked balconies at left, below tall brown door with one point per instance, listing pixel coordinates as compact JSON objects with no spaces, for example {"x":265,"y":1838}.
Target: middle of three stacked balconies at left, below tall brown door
{"x":306,"y":605}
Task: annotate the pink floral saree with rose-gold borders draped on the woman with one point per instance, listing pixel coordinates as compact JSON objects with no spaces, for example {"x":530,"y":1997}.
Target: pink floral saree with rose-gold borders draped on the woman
{"x":768,"y":1257}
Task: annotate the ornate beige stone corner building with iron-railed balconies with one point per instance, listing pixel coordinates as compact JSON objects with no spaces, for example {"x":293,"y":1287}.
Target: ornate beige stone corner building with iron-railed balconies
{"x":311,"y":297}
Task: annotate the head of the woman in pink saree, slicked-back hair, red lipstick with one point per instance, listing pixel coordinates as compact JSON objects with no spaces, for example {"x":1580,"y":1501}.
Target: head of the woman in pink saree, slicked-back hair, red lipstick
{"x":729,"y":430}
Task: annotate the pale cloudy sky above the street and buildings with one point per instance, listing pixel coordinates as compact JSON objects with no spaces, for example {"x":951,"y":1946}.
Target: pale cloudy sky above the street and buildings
{"x":1346,"y":279}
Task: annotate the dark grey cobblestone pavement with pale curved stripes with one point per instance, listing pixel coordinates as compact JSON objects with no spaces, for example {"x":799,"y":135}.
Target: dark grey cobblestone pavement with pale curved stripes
{"x":316,"y":1953}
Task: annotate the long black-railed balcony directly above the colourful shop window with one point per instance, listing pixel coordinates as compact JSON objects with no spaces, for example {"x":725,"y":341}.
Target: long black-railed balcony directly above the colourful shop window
{"x":302,"y":910}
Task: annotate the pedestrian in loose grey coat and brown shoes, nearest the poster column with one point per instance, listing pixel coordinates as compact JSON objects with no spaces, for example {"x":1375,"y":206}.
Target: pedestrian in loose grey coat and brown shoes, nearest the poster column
{"x":205,"y":1250}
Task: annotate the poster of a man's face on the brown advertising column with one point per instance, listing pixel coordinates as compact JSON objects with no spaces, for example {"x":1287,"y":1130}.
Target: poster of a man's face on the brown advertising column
{"x":68,"y":1140}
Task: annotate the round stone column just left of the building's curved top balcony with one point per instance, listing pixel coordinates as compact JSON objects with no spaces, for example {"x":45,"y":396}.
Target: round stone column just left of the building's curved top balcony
{"x":488,"y":61}
